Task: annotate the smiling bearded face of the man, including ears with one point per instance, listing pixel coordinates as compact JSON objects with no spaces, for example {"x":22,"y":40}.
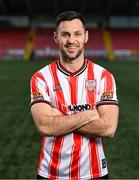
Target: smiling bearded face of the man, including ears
{"x":71,"y":38}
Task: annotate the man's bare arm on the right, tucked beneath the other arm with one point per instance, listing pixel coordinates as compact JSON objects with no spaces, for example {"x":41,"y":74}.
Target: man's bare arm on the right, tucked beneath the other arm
{"x":106,"y":125}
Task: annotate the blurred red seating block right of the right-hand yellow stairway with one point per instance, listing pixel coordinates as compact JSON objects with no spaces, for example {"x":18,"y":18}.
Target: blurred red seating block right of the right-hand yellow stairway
{"x":125,"y":43}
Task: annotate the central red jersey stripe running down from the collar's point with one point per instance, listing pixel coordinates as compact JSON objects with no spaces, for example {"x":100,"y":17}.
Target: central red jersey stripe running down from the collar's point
{"x":75,"y":159}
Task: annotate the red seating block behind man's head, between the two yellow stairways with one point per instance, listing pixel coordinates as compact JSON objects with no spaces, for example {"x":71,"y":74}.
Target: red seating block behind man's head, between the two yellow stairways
{"x":45,"y":45}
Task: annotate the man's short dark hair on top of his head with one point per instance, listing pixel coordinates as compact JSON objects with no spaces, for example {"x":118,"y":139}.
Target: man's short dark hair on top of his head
{"x":68,"y":16}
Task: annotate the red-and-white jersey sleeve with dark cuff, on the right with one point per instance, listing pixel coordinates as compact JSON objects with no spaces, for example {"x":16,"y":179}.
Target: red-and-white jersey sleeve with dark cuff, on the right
{"x":107,"y":90}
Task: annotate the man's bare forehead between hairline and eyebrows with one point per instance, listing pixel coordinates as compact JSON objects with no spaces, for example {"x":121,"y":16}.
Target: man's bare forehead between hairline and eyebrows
{"x":70,"y":26}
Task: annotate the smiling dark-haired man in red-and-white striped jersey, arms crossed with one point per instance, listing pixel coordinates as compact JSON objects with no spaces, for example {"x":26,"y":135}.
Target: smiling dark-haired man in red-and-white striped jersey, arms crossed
{"x":74,"y":105}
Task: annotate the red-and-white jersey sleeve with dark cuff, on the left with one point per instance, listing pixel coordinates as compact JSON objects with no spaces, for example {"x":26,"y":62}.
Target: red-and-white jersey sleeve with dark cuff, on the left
{"x":39,"y":89}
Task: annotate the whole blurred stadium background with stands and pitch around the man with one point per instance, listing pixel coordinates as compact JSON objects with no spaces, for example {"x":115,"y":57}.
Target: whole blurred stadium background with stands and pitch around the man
{"x":26,"y":45}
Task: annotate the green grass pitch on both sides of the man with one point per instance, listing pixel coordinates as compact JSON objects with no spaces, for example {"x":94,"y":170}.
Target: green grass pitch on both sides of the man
{"x":20,"y":142}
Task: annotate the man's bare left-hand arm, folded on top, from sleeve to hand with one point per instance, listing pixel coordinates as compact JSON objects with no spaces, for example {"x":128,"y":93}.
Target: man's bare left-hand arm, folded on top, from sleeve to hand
{"x":51,"y":122}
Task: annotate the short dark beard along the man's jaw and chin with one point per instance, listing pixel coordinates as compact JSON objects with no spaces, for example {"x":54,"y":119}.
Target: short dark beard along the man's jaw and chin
{"x":69,"y":56}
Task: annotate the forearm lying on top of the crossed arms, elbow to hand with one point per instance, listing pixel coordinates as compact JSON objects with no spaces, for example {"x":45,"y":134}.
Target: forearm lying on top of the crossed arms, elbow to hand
{"x":57,"y":125}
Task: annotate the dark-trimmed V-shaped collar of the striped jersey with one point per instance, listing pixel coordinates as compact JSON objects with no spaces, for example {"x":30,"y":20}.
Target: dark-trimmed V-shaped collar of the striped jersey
{"x":76,"y":73}
